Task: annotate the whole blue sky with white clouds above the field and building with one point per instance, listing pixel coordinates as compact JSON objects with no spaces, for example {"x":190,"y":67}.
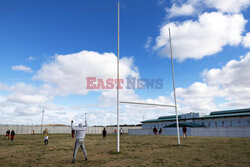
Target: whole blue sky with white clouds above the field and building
{"x":48,"y":48}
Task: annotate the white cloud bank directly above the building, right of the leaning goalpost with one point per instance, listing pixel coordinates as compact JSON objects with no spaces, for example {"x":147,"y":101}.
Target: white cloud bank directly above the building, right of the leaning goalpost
{"x":229,"y":84}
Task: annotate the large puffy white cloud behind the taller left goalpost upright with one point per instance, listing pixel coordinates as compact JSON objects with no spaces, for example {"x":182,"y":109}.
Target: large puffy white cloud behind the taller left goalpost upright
{"x":68,"y":72}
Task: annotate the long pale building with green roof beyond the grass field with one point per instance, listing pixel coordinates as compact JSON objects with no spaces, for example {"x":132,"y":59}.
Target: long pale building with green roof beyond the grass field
{"x":229,"y":123}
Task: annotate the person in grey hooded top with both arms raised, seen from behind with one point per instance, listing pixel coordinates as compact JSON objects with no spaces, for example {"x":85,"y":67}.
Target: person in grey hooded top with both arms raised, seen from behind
{"x":80,"y":131}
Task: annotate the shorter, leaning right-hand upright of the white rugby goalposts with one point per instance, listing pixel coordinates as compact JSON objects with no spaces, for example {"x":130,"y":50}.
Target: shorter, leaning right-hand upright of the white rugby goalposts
{"x":177,"y":121}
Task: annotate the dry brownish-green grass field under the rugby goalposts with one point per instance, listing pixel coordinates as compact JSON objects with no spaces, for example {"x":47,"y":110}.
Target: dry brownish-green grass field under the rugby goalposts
{"x":29,"y":150}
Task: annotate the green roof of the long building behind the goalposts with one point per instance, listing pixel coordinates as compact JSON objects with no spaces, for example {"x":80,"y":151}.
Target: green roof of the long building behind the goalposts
{"x":216,"y":114}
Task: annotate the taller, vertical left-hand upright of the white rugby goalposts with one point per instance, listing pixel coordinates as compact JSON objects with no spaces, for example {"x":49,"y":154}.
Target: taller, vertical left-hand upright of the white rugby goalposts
{"x":118,"y":54}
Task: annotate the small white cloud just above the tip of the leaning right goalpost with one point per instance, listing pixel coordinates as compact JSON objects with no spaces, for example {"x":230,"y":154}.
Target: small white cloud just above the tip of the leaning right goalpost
{"x":183,"y":10}
